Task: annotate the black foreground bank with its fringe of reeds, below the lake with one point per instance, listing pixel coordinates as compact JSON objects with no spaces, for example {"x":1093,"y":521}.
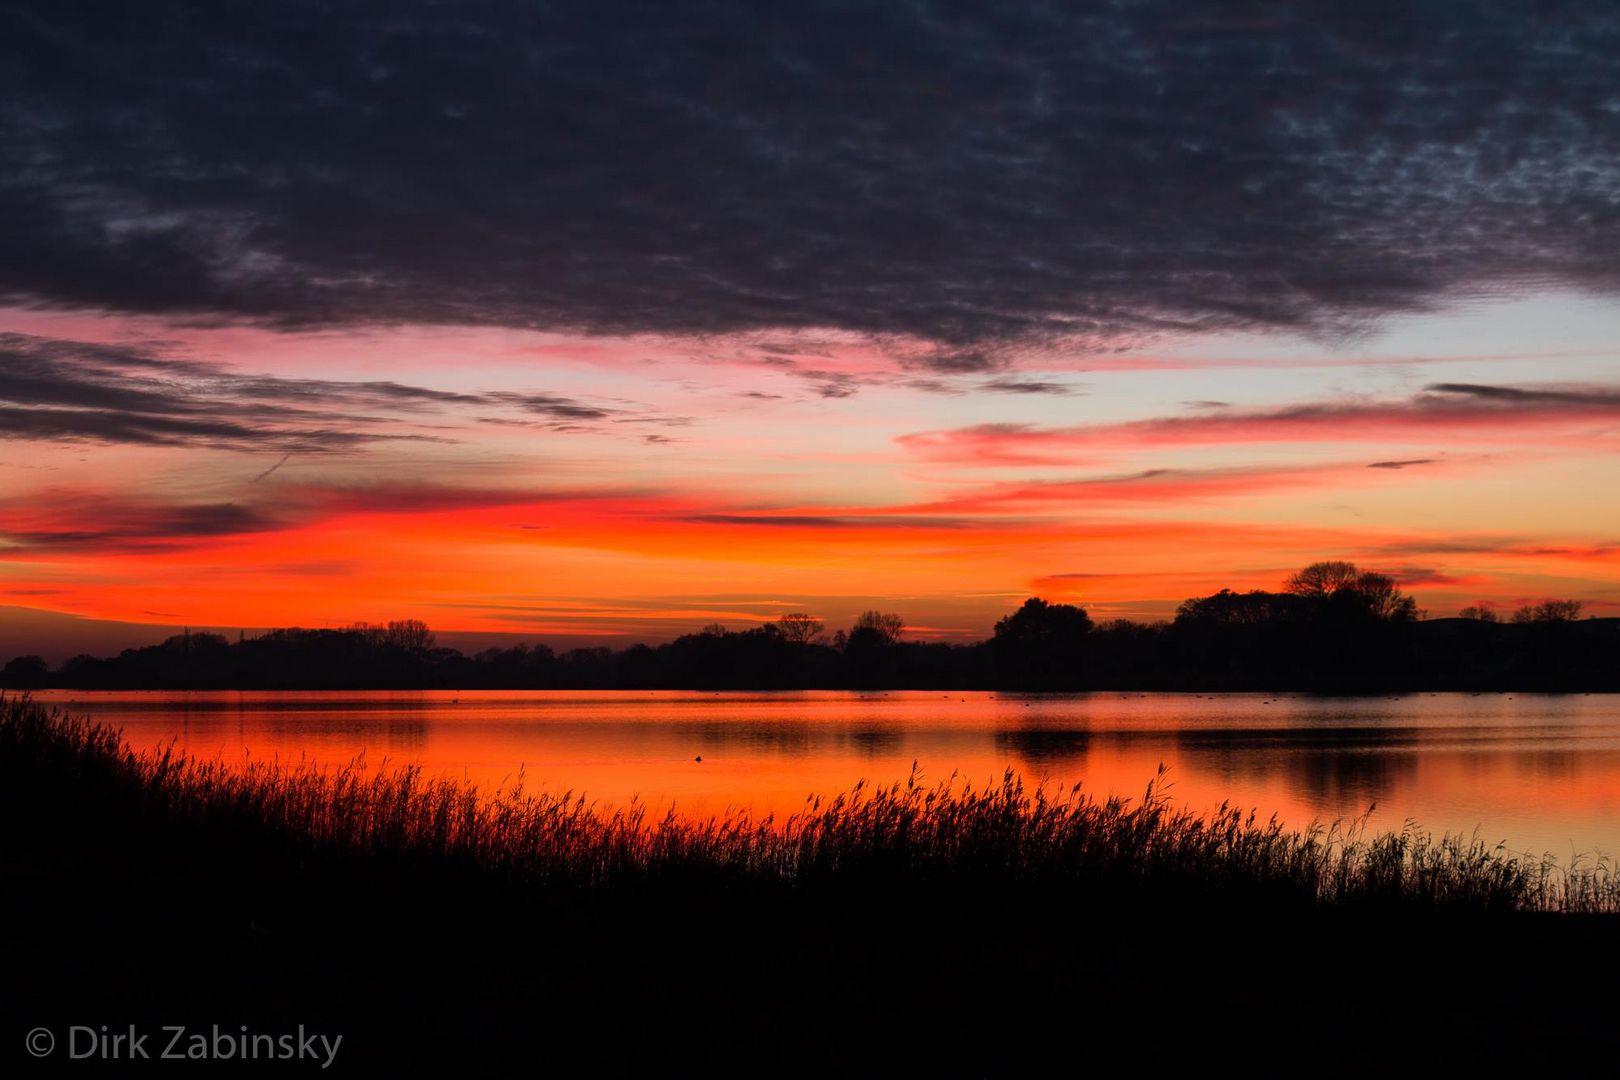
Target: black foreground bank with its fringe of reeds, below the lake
{"x":266,"y":912}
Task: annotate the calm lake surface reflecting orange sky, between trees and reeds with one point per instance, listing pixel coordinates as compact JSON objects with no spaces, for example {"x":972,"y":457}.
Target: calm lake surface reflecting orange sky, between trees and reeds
{"x":1540,"y":773}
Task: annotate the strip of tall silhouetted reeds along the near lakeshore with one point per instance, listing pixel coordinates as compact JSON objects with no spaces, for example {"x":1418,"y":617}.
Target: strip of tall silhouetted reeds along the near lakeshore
{"x":945,"y":835}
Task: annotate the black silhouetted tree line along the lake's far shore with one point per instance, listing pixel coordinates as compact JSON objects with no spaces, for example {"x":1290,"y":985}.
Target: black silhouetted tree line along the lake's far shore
{"x":1331,"y":629}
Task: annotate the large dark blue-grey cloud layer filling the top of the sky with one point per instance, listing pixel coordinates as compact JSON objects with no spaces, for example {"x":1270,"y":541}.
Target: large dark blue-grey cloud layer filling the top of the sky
{"x":973,"y":176}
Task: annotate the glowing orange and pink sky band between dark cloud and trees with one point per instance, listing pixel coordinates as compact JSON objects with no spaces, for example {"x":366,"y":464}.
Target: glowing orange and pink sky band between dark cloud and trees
{"x":636,"y":488}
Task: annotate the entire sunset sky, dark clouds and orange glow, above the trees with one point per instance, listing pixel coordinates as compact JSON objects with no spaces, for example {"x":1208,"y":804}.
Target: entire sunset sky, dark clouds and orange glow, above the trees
{"x":603,"y":323}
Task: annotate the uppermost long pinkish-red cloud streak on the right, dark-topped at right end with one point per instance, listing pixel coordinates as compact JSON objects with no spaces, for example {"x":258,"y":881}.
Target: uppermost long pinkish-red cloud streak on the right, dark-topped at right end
{"x":1451,"y":412}
